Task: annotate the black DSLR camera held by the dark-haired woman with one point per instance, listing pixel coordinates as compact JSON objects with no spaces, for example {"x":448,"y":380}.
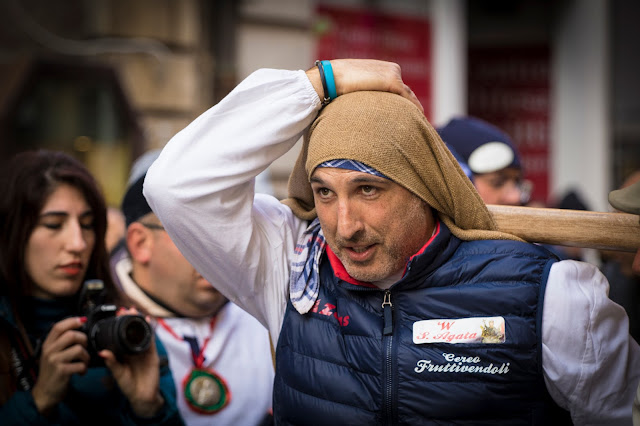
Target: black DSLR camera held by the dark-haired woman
{"x":122,"y":335}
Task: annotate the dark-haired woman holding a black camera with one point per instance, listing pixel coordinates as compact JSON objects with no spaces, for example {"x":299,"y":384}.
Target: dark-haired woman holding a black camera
{"x":52,"y":228}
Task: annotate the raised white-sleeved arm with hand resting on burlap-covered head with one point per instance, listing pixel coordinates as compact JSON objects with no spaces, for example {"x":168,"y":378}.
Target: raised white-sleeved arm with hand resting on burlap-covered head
{"x":201,"y":186}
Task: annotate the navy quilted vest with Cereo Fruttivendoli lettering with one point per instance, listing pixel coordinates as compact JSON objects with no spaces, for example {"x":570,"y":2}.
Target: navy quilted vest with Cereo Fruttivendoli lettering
{"x":352,"y":361}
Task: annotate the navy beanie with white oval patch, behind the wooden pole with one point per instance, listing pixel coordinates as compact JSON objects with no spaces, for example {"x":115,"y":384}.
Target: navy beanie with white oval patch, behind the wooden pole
{"x":483,"y":147}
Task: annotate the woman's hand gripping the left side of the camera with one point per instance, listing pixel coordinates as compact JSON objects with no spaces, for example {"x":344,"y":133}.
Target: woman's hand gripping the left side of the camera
{"x":63,"y":354}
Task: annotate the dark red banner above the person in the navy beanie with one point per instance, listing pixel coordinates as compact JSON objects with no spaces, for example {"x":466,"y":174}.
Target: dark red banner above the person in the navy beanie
{"x":509,"y":87}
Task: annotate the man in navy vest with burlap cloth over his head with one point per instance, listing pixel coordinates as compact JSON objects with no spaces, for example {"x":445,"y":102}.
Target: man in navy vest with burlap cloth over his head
{"x":390,"y":294}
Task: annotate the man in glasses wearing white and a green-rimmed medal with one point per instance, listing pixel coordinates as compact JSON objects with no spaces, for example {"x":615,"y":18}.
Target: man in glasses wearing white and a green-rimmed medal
{"x":218,"y":354}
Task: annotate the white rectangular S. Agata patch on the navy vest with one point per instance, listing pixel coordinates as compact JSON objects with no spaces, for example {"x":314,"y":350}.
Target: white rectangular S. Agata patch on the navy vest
{"x":461,"y":330}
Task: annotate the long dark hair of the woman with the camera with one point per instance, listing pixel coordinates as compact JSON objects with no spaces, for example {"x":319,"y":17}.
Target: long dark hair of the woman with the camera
{"x":26,"y":182}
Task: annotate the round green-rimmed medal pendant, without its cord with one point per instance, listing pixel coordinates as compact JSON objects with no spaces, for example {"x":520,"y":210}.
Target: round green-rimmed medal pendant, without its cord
{"x":205,"y":391}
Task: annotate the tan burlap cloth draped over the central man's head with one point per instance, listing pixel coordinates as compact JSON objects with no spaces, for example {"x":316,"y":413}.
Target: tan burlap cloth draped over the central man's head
{"x":389,"y":133}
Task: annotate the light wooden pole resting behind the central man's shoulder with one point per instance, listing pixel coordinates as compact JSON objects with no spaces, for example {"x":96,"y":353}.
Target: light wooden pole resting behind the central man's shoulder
{"x":574,"y":228}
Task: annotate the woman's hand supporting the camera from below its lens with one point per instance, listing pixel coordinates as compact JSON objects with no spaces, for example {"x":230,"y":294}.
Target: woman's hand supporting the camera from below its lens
{"x":138,"y":376}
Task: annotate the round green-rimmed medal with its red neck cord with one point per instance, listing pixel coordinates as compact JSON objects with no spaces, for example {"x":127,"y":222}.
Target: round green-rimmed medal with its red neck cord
{"x":205,"y":391}
